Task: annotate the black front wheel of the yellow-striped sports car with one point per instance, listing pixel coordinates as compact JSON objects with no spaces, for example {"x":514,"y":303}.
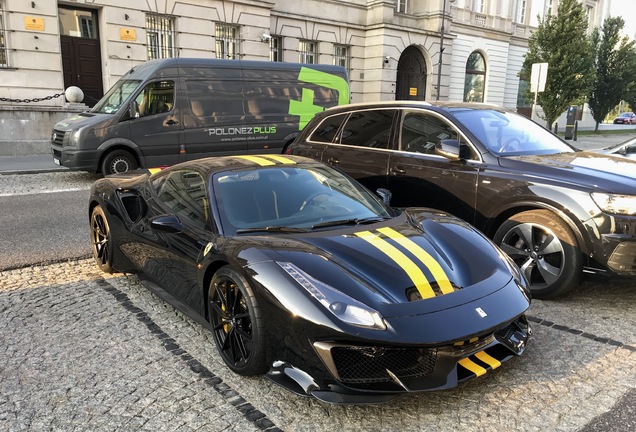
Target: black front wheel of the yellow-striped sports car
{"x":236,"y":322}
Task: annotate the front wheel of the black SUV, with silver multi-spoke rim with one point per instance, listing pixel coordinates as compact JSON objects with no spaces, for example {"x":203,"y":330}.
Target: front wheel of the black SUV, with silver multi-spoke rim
{"x":545,"y":249}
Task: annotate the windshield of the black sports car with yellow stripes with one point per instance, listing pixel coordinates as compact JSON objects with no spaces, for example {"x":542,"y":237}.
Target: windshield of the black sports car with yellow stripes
{"x":294,"y":198}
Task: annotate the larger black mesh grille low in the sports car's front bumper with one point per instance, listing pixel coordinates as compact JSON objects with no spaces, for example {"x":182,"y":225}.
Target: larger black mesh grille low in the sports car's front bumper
{"x":366,"y":365}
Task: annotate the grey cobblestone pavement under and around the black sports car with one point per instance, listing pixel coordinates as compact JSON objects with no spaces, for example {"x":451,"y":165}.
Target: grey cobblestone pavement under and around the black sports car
{"x":81,"y":350}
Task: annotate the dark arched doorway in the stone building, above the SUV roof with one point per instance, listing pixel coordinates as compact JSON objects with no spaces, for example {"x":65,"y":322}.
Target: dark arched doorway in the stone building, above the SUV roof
{"x":411,"y":76}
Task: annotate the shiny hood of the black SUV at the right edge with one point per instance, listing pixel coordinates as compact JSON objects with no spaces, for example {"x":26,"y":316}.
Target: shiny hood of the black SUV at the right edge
{"x":586,"y":169}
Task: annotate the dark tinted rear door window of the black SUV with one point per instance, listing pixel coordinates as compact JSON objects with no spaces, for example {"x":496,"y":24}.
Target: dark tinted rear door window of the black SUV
{"x":370,"y":128}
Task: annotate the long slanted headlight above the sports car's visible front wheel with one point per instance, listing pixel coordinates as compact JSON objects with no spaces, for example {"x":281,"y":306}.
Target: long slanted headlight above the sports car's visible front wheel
{"x":339,"y":304}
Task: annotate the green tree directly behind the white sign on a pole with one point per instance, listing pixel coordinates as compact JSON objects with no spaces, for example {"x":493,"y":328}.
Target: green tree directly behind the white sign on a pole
{"x":562,"y":41}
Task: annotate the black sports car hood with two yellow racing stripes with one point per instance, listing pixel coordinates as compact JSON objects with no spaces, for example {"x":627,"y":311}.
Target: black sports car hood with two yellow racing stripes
{"x":451,"y":249}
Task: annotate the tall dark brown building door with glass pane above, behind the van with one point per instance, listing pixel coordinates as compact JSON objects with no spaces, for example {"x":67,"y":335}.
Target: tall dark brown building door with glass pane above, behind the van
{"x":81,"y":55}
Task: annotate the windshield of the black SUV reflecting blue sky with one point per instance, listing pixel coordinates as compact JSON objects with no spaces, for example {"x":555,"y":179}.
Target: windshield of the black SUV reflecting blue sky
{"x":506,"y":134}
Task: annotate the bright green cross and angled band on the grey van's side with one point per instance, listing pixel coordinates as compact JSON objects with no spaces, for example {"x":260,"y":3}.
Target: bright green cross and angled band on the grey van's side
{"x":305,"y":108}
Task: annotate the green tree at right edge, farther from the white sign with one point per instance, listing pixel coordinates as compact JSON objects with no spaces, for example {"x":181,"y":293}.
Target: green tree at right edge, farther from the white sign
{"x":615,"y":64}
